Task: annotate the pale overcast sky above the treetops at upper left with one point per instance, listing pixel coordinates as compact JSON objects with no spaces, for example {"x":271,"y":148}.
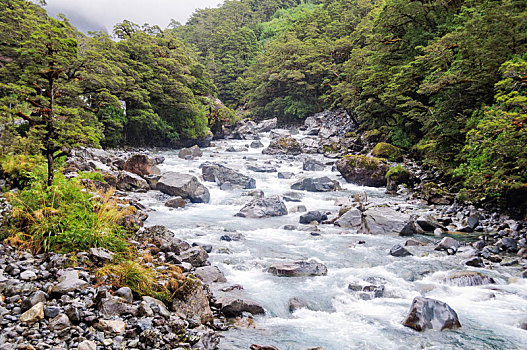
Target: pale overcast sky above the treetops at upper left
{"x":103,"y":14}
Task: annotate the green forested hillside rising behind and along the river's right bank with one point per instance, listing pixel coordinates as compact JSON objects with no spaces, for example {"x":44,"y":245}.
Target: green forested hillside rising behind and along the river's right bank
{"x":445,"y":80}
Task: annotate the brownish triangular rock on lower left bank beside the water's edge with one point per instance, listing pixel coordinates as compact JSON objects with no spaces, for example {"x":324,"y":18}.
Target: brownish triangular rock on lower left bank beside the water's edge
{"x":194,"y":303}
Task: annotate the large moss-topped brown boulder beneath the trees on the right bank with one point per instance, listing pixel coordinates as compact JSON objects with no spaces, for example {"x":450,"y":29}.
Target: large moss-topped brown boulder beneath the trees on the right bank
{"x":363,"y":170}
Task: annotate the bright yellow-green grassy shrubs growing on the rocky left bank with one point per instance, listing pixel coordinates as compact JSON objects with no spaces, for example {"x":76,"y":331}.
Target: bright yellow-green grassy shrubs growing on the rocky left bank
{"x":63,"y":218}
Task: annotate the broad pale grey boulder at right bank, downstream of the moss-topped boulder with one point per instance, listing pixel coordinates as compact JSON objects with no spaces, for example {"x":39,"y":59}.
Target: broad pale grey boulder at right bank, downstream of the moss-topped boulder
{"x":384,"y":220}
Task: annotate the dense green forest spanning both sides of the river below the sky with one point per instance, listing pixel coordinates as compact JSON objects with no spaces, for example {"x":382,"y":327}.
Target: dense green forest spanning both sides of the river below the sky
{"x":444,"y":80}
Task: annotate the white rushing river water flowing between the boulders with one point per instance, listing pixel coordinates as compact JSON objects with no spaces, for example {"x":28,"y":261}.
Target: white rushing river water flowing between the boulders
{"x":336,"y":317}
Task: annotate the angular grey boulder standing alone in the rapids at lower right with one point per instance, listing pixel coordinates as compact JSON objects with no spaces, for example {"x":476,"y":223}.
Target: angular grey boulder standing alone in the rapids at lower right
{"x":427,"y":313}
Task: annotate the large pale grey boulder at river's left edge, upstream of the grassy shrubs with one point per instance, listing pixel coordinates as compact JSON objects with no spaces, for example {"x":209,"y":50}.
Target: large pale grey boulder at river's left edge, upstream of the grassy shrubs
{"x":183,"y":185}
